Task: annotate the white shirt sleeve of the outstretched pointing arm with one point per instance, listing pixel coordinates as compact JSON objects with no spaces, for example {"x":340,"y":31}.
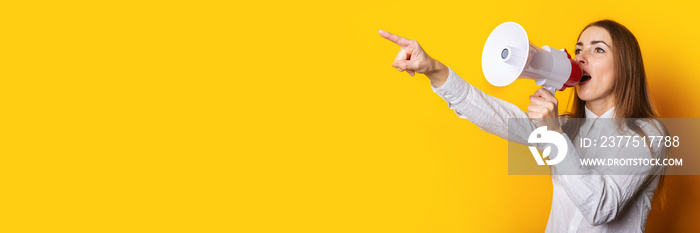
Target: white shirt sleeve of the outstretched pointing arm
{"x":487,"y":112}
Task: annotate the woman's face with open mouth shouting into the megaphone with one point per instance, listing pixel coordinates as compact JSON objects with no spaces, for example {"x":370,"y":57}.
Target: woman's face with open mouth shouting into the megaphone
{"x":594,"y":54}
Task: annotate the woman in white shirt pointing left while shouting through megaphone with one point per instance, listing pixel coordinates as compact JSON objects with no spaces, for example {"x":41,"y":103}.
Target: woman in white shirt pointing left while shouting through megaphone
{"x":614,"y":86}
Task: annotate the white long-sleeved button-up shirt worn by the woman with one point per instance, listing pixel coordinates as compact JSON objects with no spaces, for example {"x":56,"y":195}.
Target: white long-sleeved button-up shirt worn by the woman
{"x":580,"y":203}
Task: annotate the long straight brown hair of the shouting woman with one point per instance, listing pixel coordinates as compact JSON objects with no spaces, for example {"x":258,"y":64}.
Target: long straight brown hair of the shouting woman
{"x":630,"y":92}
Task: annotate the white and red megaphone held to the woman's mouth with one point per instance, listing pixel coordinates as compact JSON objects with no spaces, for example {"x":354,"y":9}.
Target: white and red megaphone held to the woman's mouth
{"x":508,"y":55}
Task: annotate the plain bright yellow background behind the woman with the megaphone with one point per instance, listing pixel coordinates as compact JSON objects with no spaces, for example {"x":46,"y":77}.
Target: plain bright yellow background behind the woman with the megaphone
{"x":286,"y":116}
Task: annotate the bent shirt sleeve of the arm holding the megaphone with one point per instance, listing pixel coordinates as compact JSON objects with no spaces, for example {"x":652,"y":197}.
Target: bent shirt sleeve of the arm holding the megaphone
{"x":602,"y":197}
